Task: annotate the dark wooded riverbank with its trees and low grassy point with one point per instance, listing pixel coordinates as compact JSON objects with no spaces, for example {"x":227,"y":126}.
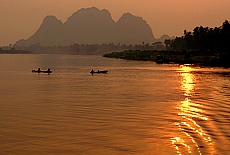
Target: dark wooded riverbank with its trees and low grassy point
{"x":204,"y":47}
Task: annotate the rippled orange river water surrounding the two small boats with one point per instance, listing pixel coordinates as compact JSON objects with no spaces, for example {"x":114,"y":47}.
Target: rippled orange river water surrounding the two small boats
{"x":137,"y":108}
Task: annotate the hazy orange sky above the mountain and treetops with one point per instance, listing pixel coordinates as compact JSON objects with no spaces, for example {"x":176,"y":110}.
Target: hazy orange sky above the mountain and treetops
{"x":21,"y":18}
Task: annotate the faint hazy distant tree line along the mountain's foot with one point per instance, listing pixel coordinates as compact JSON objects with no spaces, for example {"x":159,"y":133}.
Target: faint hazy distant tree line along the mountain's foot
{"x":95,"y":49}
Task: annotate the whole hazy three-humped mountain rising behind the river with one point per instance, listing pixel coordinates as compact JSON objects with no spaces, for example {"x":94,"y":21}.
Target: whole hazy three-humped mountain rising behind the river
{"x":91,"y":26}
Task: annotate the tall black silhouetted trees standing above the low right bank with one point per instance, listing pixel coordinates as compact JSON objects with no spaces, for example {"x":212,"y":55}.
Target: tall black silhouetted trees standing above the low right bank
{"x":203,"y":38}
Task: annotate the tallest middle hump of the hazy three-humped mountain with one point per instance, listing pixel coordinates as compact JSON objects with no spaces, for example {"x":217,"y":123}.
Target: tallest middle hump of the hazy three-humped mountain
{"x":89,"y":26}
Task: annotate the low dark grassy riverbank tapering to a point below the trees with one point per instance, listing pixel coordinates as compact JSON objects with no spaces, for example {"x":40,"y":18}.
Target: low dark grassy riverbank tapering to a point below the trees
{"x":196,"y":57}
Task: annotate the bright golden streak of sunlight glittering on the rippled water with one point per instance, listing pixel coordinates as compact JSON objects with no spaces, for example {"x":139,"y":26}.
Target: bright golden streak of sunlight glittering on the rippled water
{"x":193,"y":137}
